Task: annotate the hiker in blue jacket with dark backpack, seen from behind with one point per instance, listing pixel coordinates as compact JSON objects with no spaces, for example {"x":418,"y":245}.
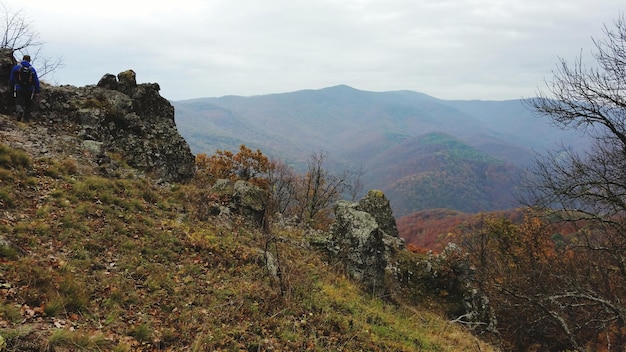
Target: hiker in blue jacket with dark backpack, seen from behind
{"x":25,"y":85}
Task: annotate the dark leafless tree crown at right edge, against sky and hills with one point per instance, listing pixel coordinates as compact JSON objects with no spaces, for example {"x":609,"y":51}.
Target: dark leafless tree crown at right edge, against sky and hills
{"x":592,"y":186}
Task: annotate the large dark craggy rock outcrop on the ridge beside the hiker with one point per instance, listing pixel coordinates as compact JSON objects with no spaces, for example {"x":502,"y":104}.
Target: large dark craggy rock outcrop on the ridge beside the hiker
{"x":119,"y":116}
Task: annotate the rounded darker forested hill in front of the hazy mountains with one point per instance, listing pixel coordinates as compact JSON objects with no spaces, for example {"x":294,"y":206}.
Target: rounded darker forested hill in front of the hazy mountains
{"x":436,"y":170}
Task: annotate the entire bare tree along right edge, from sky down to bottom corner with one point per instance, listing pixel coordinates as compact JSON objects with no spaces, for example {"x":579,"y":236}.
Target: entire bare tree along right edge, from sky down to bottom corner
{"x":587,"y":189}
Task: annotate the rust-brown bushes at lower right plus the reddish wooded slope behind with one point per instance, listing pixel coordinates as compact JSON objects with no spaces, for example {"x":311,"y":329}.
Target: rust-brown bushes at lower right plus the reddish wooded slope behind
{"x":550,"y":289}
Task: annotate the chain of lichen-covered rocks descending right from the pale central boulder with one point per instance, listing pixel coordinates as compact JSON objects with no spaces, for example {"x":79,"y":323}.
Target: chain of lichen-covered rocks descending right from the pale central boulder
{"x":365,"y":240}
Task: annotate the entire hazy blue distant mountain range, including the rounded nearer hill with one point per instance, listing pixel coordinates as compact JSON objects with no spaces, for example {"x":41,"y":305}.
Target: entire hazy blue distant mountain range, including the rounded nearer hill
{"x":423,"y":152}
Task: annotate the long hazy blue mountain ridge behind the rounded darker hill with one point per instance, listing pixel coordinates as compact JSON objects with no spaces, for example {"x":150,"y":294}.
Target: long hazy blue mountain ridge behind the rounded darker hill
{"x":358,"y":128}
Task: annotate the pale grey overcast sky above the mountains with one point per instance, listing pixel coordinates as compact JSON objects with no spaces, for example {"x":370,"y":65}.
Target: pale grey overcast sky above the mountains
{"x":450,"y":49}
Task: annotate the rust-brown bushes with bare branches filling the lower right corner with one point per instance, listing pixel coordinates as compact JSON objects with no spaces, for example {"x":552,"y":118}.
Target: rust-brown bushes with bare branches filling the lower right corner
{"x":548,"y":290}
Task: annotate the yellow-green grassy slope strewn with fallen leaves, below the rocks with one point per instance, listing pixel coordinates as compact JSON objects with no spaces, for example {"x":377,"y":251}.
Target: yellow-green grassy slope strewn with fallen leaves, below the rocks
{"x":121,"y":264}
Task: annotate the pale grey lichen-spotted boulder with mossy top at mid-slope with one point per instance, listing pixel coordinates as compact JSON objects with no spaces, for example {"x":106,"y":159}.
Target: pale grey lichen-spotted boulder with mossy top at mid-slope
{"x":364,"y":237}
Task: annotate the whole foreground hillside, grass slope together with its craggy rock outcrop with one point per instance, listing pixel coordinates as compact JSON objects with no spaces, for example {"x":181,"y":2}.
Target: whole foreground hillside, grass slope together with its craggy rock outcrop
{"x":108,"y":243}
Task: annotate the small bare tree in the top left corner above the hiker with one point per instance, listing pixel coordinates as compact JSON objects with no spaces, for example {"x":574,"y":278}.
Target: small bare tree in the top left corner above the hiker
{"x":19,"y":35}
